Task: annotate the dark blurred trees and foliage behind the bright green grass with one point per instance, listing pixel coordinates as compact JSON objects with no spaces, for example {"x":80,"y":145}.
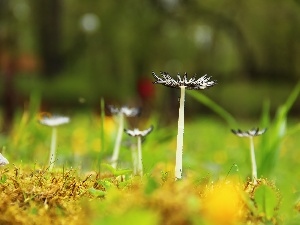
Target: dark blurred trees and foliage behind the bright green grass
{"x":72,"y":53}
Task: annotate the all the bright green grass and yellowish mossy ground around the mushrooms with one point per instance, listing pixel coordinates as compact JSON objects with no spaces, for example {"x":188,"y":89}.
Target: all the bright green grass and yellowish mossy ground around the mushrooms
{"x":215,"y":189}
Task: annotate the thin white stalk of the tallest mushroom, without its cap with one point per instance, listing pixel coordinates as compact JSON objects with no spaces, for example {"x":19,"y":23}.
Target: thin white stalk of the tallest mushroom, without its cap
{"x":179,"y":150}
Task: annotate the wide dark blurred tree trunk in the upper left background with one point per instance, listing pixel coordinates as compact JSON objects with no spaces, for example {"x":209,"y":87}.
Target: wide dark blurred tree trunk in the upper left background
{"x":48,"y":27}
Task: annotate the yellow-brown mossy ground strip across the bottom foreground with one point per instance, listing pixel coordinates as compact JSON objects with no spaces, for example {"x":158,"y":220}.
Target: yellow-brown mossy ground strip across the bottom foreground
{"x":37,"y":196}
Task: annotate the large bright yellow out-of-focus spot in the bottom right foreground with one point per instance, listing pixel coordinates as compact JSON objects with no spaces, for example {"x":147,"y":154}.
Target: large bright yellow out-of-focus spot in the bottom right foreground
{"x":222,"y":204}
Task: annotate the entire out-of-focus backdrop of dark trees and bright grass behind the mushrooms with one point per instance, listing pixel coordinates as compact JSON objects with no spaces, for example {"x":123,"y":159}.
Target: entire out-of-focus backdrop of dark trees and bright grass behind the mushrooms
{"x":63,"y":56}
